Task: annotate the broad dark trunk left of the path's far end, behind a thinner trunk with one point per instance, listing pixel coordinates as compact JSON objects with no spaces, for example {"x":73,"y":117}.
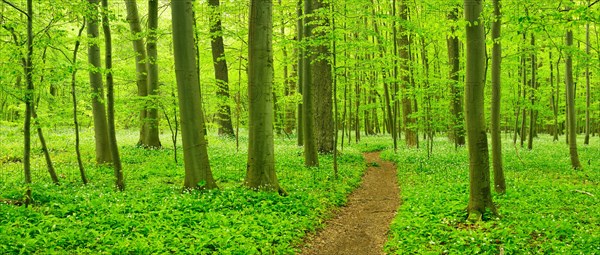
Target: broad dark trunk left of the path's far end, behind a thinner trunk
{"x":322,"y":82}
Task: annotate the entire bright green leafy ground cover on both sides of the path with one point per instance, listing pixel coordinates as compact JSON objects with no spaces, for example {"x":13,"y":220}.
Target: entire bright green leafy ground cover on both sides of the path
{"x":549,"y":208}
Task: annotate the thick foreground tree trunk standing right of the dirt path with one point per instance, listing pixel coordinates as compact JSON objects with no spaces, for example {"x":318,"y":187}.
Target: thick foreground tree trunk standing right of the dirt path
{"x":480,"y":196}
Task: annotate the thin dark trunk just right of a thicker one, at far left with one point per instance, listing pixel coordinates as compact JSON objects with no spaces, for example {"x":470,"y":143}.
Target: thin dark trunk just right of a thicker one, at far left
{"x":110,"y":99}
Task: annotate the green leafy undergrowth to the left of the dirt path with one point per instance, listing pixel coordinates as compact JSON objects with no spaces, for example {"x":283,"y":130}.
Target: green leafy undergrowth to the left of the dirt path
{"x":152,"y":215}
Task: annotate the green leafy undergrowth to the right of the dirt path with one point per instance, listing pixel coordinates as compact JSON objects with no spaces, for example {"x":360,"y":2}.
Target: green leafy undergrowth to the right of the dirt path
{"x":548,"y":208}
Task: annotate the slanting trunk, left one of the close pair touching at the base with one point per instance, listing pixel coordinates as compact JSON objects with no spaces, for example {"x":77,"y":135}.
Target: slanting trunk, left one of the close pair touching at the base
{"x":133,"y":18}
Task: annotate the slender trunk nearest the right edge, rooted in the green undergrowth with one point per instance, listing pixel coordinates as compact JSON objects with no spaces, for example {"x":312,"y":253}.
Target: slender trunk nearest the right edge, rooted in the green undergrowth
{"x":571,"y":117}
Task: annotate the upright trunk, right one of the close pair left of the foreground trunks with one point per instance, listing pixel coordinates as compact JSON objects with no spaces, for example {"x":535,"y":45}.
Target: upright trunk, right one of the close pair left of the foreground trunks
{"x":152,"y":139}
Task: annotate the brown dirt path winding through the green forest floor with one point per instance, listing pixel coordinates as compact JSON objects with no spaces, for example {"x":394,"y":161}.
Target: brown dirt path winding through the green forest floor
{"x":361,"y":227}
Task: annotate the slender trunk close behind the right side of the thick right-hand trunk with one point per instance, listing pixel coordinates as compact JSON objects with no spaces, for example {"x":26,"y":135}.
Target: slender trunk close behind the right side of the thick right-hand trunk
{"x":499,"y":182}
